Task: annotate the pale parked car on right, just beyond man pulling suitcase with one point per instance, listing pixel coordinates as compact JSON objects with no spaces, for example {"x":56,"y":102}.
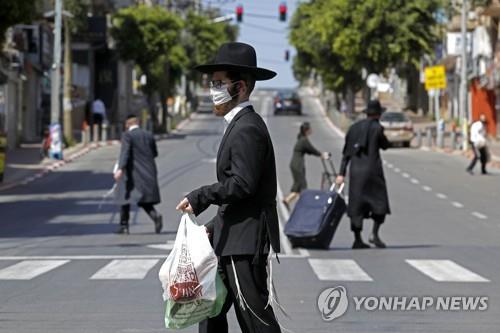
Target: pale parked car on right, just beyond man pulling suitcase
{"x":398,"y":128}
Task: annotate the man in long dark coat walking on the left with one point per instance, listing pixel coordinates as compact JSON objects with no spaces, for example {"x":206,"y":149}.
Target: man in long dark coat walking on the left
{"x":137,"y":165}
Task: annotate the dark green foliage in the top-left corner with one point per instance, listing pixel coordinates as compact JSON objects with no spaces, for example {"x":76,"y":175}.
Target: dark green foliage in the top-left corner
{"x":14,"y":12}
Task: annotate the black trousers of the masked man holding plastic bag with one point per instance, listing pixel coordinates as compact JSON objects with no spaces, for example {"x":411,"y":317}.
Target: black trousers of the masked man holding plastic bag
{"x":253,"y":283}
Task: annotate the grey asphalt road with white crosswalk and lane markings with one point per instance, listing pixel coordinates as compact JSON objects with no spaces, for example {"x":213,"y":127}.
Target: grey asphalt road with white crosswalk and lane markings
{"x":58,"y":253}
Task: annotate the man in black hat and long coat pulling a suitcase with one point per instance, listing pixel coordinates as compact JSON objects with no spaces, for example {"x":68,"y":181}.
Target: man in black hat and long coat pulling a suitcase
{"x":367,"y":189}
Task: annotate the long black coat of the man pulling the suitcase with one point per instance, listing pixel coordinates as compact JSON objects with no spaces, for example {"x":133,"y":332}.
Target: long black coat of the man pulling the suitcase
{"x":367,"y":188}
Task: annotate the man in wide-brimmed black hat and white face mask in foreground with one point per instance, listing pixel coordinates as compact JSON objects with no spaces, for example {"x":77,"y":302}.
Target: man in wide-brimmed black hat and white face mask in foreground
{"x":246,"y":224}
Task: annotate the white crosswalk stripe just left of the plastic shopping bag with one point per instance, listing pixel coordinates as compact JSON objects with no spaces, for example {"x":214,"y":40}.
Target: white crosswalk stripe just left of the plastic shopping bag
{"x":125,"y":270}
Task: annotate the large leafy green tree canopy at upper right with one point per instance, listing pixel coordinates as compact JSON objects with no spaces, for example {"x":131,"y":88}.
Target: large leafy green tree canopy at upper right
{"x":340,"y":37}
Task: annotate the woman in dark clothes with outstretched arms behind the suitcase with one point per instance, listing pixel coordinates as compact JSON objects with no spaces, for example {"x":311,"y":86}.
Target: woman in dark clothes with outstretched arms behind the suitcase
{"x":297,"y":165}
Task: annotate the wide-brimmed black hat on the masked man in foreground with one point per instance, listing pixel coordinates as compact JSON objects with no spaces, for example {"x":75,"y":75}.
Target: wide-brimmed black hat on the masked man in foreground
{"x":238,"y":57}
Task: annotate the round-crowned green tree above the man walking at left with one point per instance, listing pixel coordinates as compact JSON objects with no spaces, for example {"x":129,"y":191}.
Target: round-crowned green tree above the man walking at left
{"x":150,"y":36}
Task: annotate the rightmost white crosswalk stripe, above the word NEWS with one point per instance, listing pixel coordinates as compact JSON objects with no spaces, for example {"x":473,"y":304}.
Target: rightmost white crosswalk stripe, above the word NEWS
{"x":445,"y":271}
